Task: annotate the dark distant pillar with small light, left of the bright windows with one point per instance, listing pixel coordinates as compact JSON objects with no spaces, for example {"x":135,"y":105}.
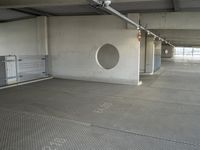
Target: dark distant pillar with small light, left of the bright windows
{"x":167,"y":51}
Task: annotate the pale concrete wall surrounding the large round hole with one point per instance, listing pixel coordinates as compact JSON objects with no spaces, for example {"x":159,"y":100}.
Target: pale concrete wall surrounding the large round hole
{"x":74,"y":41}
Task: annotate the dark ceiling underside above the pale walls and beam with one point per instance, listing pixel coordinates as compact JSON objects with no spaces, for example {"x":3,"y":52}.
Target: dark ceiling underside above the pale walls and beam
{"x":82,"y":7}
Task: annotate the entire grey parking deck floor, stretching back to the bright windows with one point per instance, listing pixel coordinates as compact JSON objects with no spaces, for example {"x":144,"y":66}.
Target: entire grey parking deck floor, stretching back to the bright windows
{"x":163,"y":113}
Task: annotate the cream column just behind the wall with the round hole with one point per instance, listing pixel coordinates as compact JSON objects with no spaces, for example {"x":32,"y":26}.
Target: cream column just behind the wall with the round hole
{"x":150,"y":55}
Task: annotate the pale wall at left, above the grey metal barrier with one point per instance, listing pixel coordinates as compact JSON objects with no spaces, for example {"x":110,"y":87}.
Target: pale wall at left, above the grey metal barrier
{"x":23,"y":37}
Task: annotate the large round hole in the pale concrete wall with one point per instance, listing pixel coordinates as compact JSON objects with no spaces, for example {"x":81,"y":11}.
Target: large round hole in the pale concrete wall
{"x":108,"y":56}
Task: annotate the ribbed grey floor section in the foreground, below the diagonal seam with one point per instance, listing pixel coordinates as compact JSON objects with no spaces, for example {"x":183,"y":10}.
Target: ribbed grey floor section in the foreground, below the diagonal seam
{"x":27,"y":131}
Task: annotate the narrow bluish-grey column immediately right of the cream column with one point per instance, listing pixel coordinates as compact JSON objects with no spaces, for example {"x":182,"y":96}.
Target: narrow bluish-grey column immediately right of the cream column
{"x":157,"y":59}
